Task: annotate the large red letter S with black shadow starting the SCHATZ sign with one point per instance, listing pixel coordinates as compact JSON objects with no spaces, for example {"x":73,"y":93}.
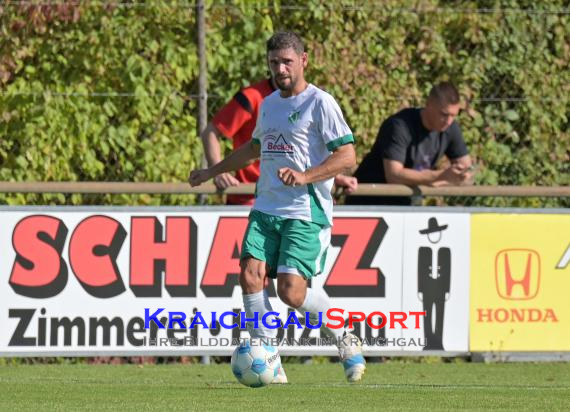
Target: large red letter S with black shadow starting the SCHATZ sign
{"x":39,"y":270}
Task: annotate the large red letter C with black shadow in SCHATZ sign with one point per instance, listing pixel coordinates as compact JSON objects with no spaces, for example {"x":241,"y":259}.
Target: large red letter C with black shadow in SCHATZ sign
{"x":93,"y":250}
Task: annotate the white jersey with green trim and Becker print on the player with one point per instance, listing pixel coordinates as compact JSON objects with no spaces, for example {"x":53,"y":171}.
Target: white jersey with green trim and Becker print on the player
{"x":298,"y":132}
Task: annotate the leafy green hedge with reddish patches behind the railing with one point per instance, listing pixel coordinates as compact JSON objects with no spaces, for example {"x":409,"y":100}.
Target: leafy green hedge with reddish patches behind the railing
{"x":107,"y":91}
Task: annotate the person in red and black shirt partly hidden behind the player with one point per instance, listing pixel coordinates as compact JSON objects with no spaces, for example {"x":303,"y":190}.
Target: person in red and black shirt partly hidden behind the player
{"x":236,"y":121}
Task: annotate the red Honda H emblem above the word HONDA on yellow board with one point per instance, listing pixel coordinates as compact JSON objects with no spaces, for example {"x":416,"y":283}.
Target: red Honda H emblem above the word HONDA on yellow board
{"x":517,"y":274}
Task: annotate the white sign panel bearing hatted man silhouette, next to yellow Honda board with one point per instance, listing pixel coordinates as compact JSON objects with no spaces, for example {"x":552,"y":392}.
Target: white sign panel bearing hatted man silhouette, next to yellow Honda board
{"x":436,"y":279}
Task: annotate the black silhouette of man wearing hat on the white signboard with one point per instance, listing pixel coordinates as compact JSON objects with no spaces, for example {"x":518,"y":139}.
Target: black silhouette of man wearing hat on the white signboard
{"x":434,"y":278}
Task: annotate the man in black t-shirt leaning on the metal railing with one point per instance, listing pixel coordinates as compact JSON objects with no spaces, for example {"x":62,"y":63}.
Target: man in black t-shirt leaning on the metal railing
{"x":410,"y":144}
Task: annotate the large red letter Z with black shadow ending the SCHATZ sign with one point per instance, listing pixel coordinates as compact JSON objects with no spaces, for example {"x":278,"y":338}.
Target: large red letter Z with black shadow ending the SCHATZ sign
{"x":352,"y":274}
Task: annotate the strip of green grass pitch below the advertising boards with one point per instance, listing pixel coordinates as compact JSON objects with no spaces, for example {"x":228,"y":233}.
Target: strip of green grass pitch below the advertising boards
{"x":387,"y":386}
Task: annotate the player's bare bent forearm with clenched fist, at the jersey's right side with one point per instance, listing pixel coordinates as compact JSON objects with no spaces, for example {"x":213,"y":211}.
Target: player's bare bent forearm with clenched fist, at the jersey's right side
{"x":341,"y":160}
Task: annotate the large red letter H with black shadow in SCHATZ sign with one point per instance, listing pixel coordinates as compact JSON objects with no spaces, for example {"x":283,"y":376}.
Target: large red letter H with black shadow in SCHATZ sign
{"x":175,"y":256}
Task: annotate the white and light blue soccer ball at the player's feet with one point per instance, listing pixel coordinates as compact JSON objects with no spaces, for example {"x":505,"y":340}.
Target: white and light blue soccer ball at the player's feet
{"x":255,"y":363}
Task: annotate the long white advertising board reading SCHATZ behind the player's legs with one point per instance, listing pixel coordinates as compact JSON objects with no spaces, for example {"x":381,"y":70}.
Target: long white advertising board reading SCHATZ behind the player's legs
{"x":93,"y":281}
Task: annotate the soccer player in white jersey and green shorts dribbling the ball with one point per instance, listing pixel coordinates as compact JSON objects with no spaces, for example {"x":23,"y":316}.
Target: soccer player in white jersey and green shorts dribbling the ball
{"x":302,"y":141}
